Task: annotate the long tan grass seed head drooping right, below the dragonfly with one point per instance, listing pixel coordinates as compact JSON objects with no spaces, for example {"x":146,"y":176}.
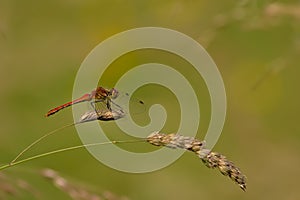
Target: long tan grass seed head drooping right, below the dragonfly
{"x":209,"y":158}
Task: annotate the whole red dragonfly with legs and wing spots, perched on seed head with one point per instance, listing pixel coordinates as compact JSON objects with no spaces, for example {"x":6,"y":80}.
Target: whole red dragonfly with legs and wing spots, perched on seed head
{"x":99,"y":95}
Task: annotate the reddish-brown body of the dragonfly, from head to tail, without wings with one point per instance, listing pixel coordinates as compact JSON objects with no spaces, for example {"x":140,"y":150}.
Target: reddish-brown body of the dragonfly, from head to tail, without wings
{"x":100,"y":94}
